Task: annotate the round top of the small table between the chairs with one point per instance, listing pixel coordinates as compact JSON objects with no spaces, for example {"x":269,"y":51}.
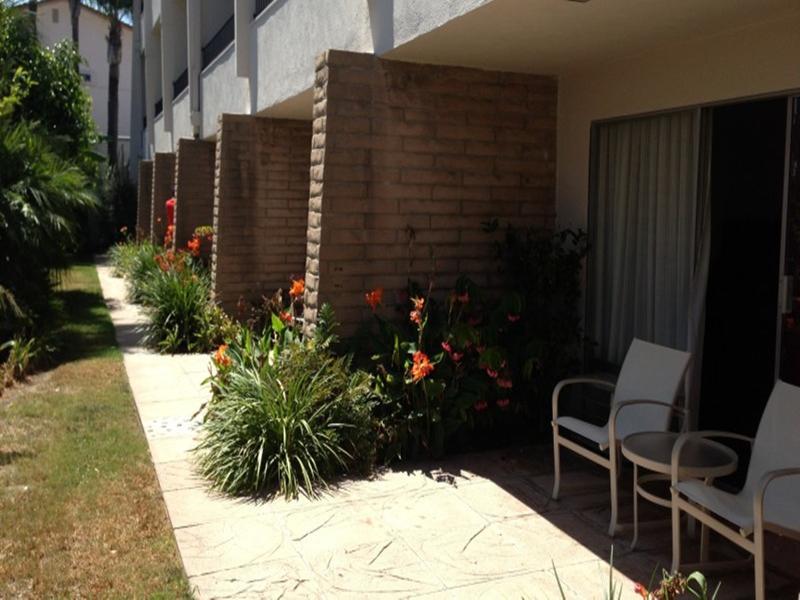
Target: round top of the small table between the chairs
{"x":700,"y":458}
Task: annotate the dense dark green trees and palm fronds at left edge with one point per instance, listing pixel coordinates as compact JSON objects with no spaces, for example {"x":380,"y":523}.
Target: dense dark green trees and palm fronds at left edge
{"x":46,"y":135}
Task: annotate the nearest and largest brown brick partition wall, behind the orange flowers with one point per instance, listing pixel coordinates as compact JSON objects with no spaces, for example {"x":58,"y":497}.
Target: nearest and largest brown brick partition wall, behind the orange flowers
{"x":408,"y":160}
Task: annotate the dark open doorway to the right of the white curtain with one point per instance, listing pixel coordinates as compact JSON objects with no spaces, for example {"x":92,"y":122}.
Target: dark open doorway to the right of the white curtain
{"x":747,"y":180}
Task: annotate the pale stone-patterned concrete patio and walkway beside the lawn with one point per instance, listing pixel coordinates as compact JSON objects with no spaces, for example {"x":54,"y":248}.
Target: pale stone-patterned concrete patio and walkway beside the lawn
{"x":473,"y":526}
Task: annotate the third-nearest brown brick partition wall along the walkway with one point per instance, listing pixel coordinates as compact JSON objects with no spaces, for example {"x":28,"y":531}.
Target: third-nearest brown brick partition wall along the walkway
{"x":194,"y":188}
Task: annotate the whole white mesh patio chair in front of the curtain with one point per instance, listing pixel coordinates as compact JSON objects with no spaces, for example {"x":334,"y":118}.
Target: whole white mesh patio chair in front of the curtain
{"x":643,"y":400}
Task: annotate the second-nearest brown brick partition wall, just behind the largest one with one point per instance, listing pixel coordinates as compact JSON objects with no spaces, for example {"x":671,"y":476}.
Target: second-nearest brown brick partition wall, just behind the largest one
{"x":260,"y":206}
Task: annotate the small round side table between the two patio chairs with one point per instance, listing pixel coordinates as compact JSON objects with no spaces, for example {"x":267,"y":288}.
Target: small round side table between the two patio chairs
{"x":652,"y":450}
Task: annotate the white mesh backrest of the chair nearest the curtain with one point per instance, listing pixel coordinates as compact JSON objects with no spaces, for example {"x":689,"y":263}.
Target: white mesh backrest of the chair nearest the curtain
{"x":649,"y":372}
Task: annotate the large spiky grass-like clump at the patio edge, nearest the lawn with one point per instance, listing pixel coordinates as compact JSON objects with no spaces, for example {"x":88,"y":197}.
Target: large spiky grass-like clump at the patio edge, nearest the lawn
{"x":286,"y":417}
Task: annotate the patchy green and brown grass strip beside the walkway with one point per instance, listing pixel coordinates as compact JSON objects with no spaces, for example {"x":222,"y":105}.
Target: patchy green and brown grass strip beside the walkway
{"x":80,"y":510}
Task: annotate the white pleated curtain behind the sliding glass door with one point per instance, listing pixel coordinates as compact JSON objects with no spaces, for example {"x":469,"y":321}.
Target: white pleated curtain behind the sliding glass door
{"x":646,"y":233}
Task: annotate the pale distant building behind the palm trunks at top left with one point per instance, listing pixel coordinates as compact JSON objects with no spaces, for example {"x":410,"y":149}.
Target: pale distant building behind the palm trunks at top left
{"x":54,"y":25}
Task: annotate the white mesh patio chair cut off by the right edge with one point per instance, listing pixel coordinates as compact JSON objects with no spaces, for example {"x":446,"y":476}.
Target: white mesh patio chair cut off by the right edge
{"x":774,"y":467}
